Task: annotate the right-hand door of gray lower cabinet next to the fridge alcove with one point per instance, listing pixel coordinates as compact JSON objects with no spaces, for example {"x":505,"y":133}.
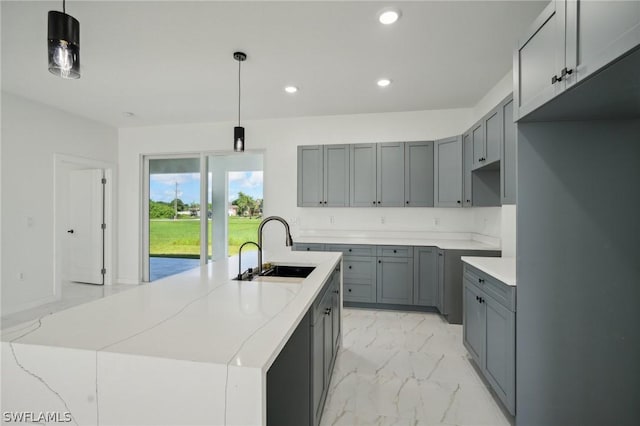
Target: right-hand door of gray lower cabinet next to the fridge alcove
{"x":499,"y":357}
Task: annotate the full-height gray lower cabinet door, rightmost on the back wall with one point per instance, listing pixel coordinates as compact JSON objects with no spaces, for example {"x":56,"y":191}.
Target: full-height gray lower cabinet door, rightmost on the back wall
{"x":425,"y":276}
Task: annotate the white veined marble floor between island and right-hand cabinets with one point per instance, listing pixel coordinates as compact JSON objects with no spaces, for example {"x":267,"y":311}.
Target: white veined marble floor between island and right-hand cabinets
{"x":406,"y":368}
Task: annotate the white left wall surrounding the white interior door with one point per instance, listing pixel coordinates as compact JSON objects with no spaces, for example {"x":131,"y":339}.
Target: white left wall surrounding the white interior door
{"x":31,"y":134}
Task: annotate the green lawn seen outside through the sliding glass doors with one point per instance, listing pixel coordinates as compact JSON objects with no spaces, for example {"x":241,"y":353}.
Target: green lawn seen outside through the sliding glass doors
{"x":182,"y":237}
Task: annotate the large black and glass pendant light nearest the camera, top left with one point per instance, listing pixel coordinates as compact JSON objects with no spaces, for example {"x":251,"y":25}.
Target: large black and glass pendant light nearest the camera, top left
{"x":64,"y":44}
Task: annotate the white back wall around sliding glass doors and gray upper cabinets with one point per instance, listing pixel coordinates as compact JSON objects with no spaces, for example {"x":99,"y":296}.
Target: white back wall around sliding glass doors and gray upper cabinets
{"x":278,"y":139}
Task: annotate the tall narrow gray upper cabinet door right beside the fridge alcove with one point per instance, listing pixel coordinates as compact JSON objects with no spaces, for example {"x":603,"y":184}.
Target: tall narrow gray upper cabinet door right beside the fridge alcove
{"x":508,"y":162}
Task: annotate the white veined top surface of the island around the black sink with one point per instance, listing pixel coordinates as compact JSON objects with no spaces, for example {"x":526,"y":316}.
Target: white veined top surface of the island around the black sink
{"x":200,"y":315}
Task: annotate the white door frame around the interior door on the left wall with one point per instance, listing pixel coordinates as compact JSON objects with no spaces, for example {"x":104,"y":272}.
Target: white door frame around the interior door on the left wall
{"x":63,"y":164}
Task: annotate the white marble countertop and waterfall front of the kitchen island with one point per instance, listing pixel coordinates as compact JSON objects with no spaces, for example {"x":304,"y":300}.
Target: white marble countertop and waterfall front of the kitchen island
{"x":194,"y":348}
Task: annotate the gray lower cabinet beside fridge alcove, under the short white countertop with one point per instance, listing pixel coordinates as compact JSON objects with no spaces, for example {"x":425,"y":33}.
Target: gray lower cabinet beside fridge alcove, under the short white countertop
{"x":489,"y":334}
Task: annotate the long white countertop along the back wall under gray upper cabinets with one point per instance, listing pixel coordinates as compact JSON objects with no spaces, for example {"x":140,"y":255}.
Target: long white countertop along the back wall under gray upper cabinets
{"x":443,"y":243}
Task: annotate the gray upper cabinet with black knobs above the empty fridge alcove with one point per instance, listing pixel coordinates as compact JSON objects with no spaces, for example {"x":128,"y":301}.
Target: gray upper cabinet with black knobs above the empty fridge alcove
{"x":567,"y":43}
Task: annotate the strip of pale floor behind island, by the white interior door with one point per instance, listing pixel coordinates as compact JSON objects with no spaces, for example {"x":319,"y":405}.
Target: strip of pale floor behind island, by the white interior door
{"x":73,"y":294}
